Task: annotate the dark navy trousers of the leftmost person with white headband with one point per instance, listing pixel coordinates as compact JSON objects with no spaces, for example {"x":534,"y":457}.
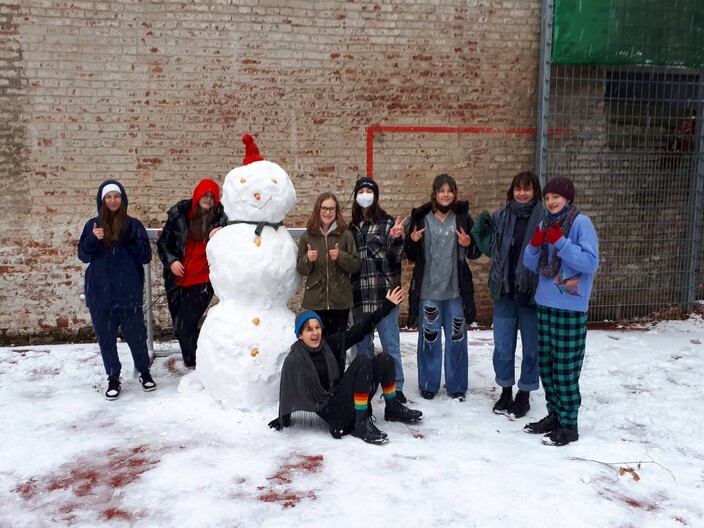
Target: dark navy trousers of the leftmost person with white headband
{"x":131,"y":320}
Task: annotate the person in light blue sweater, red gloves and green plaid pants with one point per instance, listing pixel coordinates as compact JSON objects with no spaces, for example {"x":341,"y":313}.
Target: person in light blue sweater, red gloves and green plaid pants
{"x":564,"y":251}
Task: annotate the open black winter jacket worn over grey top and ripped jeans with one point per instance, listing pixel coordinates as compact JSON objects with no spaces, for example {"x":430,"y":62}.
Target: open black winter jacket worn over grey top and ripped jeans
{"x":415,"y":253}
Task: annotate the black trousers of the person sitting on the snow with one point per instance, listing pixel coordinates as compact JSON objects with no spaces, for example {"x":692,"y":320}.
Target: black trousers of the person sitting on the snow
{"x":362,"y":376}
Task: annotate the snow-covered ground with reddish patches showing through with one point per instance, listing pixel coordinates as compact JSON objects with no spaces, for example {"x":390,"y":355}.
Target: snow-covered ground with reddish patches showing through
{"x":175,"y":458}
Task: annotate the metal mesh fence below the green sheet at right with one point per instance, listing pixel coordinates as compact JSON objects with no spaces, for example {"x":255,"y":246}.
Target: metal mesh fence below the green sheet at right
{"x":630,"y":139}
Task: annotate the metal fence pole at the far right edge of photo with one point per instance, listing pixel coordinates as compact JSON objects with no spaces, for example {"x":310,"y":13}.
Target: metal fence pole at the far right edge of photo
{"x":696,"y":200}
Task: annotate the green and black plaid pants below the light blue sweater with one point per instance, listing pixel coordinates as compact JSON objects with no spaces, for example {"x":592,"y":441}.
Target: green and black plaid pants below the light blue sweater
{"x":562,"y":337}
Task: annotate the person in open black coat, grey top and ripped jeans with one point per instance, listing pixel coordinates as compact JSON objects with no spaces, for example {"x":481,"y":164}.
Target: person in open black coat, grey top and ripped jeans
{"x":442,"y":292}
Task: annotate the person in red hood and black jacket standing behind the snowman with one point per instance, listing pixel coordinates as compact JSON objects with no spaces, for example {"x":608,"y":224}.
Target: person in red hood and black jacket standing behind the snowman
{"x":181,"y":248}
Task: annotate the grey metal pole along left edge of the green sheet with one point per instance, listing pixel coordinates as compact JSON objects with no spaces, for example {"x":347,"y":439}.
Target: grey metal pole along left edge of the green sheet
{"x":541,"y":153}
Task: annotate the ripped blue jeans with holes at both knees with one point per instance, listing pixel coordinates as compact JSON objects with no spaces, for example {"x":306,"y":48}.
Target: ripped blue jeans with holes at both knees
{"x":447,"y":316}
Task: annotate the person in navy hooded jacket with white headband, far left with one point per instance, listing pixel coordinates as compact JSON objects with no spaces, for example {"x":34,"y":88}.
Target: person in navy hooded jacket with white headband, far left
{"x":116,"y":247}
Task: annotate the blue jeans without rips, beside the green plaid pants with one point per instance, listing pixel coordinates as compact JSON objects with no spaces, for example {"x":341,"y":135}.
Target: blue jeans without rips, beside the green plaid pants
{"x":508,"y":318}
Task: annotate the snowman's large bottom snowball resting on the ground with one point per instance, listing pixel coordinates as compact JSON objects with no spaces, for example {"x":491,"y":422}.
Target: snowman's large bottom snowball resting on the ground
{"x":241,"y":351}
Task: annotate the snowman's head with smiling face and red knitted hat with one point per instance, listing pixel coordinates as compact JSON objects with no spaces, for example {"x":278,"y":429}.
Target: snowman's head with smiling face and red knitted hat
{"x":259,"y":191}
